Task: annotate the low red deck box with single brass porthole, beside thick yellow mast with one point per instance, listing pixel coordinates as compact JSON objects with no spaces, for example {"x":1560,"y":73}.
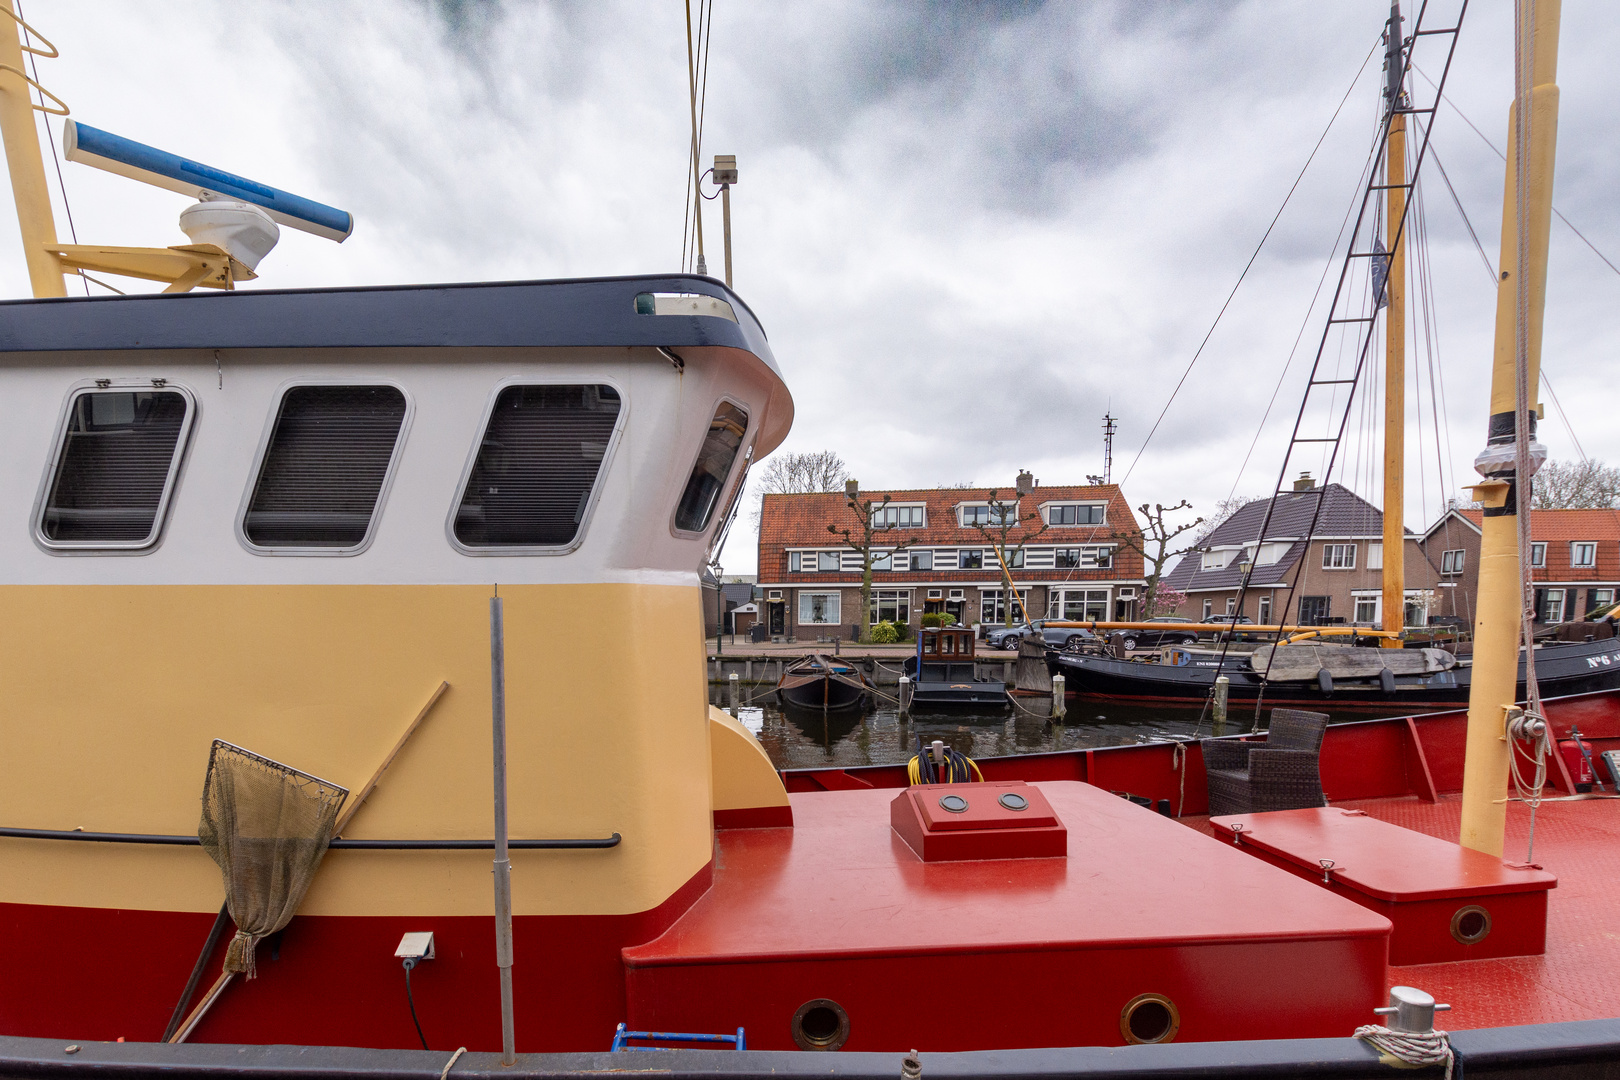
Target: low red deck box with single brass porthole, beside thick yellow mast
{"x":1447,"y":903}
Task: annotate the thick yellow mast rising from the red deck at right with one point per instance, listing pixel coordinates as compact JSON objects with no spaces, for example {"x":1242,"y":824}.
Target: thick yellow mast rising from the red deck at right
{"x":1499,"y":614}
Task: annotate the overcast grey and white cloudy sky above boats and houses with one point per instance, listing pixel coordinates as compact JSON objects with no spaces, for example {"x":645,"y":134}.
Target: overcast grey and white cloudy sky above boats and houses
{"x":970,"y":229}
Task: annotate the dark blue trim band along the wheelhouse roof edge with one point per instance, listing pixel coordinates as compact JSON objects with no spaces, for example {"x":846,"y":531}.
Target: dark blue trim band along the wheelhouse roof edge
{"x":582,"y":313}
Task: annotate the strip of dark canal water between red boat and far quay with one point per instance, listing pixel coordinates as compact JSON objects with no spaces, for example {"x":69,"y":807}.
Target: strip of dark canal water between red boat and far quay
{"x":808,"y":741}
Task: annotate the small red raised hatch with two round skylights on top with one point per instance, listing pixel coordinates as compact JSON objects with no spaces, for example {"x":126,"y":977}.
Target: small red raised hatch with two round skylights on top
{"x":952,"y":822}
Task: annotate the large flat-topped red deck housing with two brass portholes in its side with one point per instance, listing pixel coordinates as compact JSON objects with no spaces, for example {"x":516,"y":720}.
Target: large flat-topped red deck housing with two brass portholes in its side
{"x":1005,"y":953}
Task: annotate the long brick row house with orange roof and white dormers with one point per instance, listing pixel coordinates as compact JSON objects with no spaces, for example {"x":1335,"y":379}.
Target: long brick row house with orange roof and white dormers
{"x":1075,"y":569}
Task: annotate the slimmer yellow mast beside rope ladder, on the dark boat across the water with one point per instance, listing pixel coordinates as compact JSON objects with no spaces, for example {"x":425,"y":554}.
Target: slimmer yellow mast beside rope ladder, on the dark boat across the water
{"x":1396,"y":347}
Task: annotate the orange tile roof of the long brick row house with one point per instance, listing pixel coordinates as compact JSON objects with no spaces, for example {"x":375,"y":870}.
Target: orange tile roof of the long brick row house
{"x":801,"y":522}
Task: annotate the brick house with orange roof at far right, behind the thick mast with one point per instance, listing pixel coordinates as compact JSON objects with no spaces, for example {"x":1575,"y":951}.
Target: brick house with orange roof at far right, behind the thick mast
{"x":1575,"y":561}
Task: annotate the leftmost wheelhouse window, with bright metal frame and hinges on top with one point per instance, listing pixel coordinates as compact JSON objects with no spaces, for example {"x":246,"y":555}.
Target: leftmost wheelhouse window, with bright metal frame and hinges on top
{"x":116,"y":469}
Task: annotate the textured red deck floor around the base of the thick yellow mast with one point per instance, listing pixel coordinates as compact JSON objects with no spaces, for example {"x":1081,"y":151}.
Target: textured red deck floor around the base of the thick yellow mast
{"x":1579,"y":977}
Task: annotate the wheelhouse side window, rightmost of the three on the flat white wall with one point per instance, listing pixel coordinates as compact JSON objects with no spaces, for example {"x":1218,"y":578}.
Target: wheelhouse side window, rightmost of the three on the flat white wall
{"x":537,"y":467}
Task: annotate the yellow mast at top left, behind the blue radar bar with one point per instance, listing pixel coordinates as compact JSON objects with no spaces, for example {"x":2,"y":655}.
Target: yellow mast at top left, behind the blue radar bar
{"x":27,"y":164}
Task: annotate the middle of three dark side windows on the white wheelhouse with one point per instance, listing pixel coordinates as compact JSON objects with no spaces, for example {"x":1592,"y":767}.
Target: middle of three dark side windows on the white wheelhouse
{"x":325,"y":467}
